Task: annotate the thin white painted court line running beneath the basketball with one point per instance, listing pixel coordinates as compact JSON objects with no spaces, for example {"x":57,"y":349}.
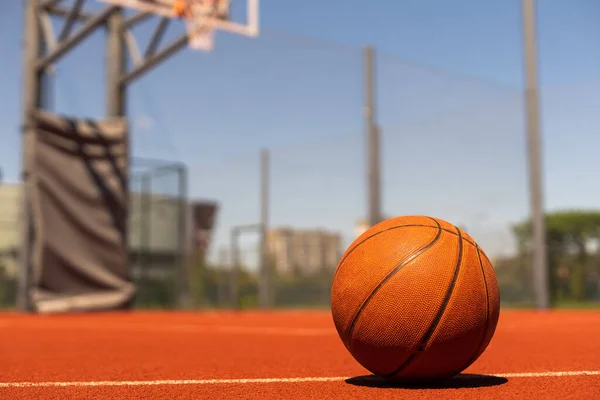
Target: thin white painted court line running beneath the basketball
{"x":258,"y":380}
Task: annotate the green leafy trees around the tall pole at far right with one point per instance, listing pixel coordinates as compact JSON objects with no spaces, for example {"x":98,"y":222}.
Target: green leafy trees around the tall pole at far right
{"x":574,"y":268}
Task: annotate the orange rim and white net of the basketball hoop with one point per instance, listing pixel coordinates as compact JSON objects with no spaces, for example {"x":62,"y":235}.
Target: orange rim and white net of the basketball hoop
{"x":198,"y":15}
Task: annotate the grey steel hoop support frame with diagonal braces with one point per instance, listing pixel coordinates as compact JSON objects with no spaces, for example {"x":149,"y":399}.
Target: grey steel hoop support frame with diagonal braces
{"x":43,"y":48}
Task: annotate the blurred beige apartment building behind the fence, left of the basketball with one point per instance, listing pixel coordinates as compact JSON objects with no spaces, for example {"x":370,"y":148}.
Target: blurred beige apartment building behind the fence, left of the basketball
{"x":304,"y":251}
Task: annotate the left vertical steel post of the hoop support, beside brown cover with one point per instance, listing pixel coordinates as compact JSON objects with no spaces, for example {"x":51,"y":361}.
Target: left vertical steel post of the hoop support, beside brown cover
{"x":32,"y":99}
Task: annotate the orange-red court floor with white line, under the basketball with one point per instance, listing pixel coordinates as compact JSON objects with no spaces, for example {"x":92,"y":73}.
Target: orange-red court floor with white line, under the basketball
{"x":275,"y":355}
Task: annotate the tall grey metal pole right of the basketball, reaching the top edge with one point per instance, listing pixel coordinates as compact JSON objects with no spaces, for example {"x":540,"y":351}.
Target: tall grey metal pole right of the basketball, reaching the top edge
{"x":540,"y":262}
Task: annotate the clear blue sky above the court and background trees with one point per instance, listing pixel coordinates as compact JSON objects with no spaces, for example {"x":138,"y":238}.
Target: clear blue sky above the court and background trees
{"x":449,"y":81}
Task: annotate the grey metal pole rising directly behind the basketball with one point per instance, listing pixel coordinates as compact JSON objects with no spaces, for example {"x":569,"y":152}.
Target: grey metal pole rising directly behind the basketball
{"x":372,"y":142}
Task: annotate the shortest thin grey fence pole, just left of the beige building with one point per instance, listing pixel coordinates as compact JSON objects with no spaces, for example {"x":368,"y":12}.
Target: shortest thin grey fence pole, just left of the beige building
{"x":264,"y":218}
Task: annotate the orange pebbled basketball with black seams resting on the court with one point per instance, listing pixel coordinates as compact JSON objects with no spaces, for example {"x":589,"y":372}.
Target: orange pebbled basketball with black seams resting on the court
{"x":415,"y":298}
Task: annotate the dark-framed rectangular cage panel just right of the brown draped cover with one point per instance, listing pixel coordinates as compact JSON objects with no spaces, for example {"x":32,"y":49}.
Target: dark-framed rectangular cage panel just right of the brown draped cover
{"x":157,"y":232}
